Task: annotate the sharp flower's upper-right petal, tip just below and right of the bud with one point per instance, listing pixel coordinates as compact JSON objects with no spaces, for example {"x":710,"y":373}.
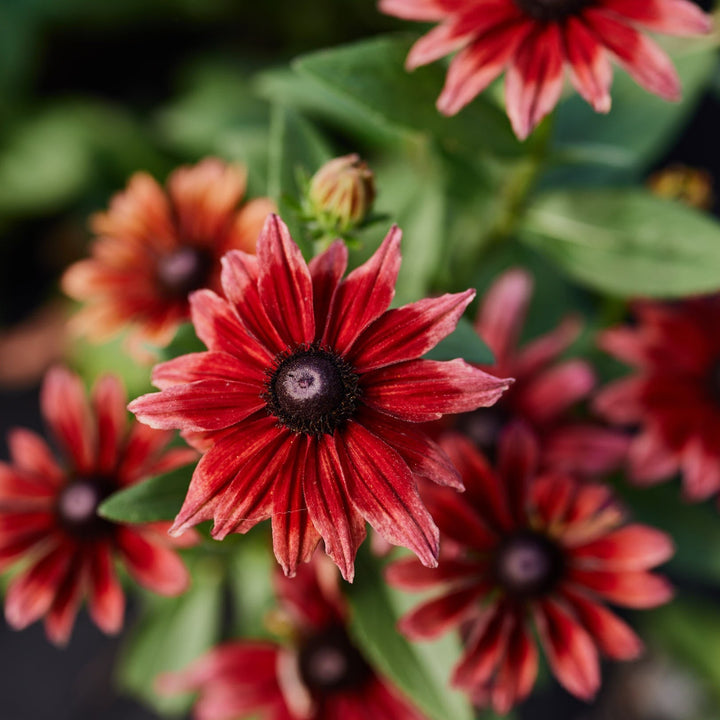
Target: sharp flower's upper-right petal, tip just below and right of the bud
{"x":364,"y":295}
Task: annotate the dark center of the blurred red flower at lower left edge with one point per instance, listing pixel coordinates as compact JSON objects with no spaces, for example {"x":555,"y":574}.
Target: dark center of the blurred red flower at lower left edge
{"x":77,"y":506}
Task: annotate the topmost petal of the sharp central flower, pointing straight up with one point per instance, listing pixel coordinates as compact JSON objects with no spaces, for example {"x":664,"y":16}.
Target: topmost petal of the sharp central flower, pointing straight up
{"x":284,"y":283}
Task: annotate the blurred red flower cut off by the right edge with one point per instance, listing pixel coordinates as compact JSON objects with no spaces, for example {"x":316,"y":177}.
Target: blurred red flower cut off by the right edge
{"x":675,"y":395}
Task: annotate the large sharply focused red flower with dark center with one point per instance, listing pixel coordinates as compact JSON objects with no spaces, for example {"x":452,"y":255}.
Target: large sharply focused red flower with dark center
{"x":307,"y":399}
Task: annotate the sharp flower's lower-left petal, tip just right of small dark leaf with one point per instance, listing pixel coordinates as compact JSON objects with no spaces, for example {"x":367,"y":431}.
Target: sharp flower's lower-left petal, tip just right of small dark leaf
{"x":221,"y":464}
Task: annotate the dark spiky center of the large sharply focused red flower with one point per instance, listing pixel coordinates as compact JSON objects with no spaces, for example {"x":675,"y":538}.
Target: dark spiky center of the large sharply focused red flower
{"x":312,"y":390}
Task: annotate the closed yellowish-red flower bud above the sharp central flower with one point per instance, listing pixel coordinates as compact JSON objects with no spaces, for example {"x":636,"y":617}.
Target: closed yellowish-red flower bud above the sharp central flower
{"x":340,"y":194}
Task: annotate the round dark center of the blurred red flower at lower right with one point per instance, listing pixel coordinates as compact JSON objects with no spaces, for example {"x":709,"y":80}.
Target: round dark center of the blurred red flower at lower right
{"x":528,"y":564}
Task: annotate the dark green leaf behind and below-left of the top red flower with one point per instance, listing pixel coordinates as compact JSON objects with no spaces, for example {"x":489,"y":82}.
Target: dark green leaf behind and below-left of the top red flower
{"x":370,"y":75}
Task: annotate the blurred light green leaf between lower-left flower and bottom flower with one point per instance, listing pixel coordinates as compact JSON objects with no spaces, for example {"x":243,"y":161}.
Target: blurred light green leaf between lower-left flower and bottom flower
{"x":171,"y":634}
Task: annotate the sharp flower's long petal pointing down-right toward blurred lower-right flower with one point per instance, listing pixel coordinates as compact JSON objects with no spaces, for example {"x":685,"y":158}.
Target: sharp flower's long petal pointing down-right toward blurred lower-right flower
{"x":383,"y":490}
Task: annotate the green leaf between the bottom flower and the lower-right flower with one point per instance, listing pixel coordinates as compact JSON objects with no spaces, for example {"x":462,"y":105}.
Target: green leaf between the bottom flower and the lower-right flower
{"x":421,"y":670}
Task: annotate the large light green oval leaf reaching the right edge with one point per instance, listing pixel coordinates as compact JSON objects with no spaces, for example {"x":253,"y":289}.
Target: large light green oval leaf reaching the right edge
{"x":626,"y":242}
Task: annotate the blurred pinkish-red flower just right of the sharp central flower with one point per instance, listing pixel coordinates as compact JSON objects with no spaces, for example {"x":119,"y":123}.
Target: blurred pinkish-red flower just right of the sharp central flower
{"x":546,"y":390}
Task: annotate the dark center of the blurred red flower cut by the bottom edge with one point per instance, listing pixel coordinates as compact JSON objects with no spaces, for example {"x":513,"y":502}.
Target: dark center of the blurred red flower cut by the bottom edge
{"x":330,"y":663}
